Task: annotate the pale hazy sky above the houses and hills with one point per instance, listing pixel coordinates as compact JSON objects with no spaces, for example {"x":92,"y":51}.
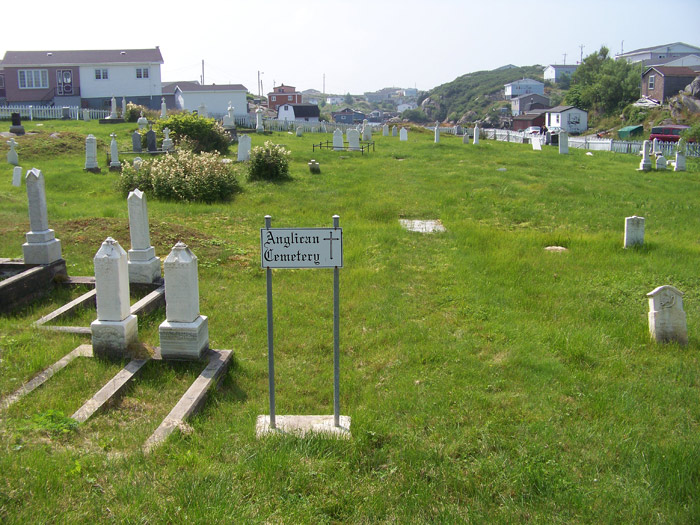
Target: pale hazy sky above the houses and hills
{"x":358,"y":45}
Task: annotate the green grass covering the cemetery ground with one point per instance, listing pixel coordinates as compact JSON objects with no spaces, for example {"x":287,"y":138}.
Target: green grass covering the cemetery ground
{"x":488,"y":381}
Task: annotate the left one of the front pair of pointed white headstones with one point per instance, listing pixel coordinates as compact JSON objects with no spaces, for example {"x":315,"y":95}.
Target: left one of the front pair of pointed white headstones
{"x":116,"y":328}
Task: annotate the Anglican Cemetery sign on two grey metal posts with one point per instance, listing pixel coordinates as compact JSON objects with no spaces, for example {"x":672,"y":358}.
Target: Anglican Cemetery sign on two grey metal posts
{"x":303,"y":248}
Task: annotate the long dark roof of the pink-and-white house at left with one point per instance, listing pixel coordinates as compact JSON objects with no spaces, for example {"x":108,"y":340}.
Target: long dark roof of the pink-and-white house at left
{"x":64,"y":58}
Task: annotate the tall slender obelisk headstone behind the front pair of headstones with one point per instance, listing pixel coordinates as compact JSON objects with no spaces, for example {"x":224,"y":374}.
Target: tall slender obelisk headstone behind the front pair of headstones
{"x":144,"y":266}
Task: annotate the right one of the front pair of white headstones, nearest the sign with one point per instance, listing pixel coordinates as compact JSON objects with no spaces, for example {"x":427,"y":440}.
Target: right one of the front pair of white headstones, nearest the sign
{"x":185,"y":333}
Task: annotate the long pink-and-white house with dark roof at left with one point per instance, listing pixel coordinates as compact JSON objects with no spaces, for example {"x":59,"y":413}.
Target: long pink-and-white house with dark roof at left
{"x":88,"y":78}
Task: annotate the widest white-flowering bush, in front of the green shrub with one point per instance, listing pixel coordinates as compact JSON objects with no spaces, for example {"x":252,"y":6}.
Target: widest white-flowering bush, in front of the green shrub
{"x":184,"y":176}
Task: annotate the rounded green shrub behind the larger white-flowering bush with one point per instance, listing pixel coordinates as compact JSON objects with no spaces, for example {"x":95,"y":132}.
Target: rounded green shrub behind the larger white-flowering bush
{"x":205,"y":134}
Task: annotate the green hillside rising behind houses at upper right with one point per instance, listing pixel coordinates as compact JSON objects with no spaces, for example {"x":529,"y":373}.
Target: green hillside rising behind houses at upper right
{"x":474,"y":94}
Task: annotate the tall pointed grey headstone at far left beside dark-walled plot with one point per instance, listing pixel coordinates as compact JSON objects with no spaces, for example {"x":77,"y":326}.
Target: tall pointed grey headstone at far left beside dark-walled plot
{"x":41,"y":247}
